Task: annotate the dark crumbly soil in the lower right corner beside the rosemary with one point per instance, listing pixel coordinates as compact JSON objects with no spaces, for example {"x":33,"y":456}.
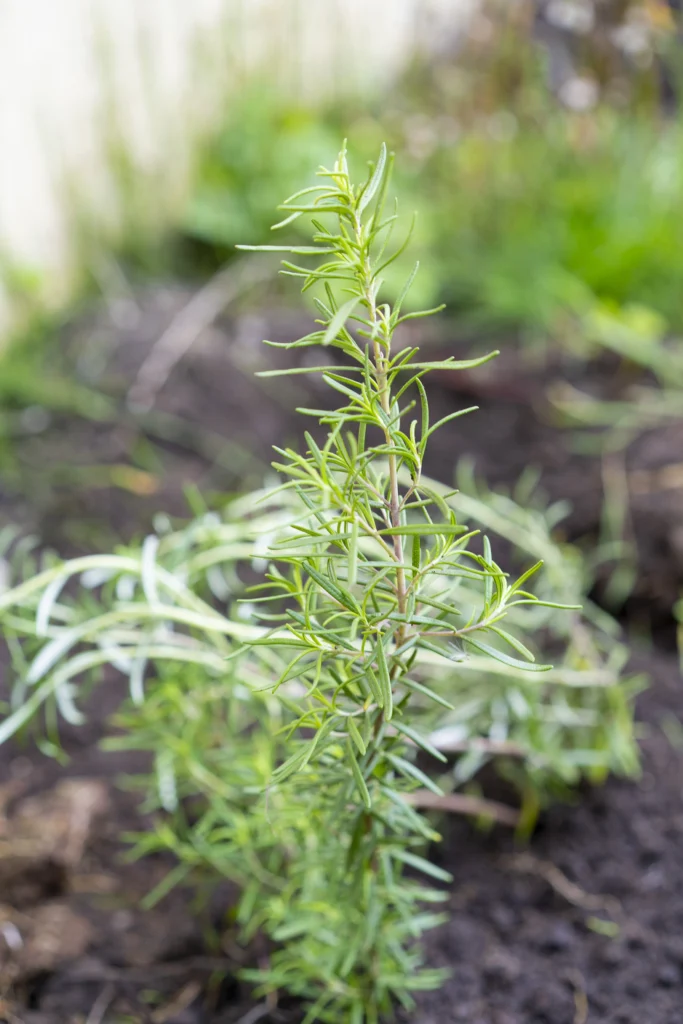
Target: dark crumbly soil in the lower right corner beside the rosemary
{"x":522,"y":941}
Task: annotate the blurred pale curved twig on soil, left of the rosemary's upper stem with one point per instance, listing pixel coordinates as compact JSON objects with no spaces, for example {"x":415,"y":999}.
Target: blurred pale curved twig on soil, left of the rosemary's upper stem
{"x":193,"y":320}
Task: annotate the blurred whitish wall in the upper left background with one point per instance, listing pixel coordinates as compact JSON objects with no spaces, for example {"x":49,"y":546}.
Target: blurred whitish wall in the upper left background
{"x":80,"y":78}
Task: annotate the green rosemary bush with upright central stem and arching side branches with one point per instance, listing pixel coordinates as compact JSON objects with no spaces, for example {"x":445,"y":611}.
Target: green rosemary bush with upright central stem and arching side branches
{"x":300,"y":726}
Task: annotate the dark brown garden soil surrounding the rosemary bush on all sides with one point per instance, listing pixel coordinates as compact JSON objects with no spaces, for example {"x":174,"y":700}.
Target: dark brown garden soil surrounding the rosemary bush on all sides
{"x":584,"y":925}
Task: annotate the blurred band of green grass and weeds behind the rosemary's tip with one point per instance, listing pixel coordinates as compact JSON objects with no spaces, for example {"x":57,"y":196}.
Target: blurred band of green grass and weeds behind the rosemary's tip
{"x":532,"y":216}
